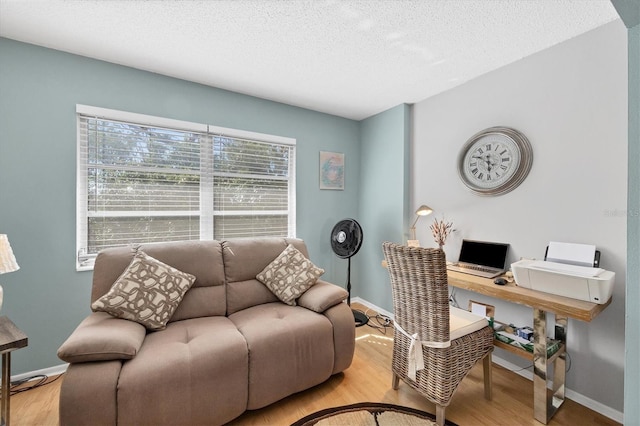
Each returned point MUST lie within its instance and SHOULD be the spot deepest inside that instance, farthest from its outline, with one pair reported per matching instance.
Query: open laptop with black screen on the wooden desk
(481, 258)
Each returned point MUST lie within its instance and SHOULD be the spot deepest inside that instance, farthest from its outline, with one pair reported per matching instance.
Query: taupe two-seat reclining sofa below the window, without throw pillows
(230, 346)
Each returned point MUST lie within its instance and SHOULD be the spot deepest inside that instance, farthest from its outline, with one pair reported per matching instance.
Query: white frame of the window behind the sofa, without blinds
(207, 211)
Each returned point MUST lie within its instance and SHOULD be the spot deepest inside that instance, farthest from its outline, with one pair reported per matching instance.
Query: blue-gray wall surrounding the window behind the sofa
(39, 89)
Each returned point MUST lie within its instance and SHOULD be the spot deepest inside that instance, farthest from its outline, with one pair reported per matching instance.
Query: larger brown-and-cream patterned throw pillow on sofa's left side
(147, 292)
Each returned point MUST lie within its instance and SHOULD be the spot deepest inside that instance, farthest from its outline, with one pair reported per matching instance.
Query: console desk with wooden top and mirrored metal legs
(544, 404)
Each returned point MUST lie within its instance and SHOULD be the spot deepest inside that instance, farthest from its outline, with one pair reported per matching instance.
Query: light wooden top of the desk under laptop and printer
(572, 308)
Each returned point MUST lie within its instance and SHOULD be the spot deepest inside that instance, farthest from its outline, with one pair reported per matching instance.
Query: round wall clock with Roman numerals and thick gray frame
(495, 161)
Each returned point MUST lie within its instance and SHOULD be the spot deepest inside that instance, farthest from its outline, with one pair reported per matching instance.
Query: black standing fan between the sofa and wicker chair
(346, 240)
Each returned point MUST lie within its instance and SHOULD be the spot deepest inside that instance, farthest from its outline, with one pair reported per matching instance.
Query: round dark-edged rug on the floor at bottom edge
(370, 413)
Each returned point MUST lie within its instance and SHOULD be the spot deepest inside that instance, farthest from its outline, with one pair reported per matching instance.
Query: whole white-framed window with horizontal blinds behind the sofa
(147, 179)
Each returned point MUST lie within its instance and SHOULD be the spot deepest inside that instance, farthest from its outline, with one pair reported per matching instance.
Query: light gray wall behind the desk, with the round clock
(571, 102)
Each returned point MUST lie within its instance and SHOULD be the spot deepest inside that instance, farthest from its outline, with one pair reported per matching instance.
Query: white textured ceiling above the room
(348, 58)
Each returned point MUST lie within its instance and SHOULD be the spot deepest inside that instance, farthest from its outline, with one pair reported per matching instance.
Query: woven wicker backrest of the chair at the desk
(420, 290)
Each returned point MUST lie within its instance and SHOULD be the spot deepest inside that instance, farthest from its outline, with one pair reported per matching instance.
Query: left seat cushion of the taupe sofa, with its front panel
(194, 372)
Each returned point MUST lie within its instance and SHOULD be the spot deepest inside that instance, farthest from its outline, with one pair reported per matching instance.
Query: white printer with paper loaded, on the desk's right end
(566, 275)
